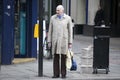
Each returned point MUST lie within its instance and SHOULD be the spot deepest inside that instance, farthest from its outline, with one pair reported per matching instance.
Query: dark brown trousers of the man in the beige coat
(56, 65)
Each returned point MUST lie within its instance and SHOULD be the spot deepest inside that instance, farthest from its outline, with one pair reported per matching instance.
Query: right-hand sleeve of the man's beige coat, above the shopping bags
(70, 30)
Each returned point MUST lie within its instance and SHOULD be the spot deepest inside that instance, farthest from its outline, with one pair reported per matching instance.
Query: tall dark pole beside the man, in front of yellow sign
(40, 61)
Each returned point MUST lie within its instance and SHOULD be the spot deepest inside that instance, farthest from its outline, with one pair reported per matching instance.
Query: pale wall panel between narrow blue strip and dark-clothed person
(92, 8)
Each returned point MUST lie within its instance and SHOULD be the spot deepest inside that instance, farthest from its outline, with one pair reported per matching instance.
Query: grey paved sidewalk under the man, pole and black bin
(29, 70)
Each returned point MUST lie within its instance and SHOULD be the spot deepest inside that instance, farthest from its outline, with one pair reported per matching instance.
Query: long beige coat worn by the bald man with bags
(60, 33)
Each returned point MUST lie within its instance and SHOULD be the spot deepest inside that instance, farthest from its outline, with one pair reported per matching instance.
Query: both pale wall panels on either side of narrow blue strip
(78, 11)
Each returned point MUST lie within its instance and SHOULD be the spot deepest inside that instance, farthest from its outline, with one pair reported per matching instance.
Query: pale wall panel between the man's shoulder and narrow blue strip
(78, 11)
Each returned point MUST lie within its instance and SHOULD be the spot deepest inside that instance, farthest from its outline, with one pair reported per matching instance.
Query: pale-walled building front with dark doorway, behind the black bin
(83, 12)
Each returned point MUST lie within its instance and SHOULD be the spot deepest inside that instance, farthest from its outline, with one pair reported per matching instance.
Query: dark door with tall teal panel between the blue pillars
(20, 28)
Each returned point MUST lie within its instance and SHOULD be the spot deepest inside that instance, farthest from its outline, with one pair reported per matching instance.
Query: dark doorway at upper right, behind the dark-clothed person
(112, 17)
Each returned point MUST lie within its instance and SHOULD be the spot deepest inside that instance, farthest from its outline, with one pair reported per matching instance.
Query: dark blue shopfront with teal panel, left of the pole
(17, 28)
